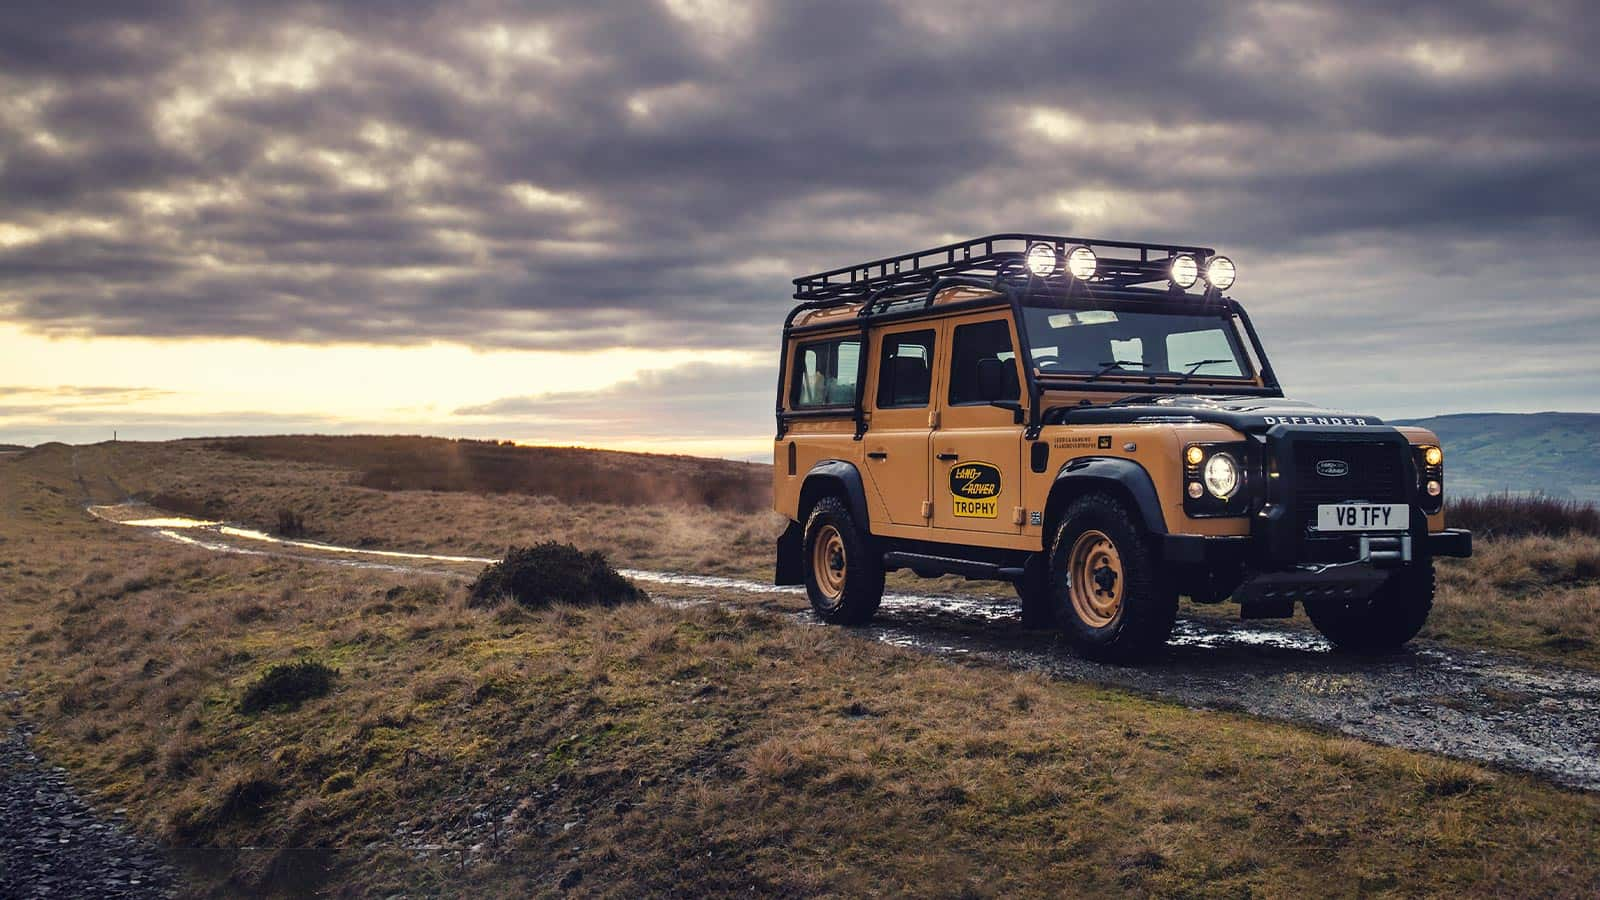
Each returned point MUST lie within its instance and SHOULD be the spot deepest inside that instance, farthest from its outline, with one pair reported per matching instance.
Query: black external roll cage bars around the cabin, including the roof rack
(889, 287)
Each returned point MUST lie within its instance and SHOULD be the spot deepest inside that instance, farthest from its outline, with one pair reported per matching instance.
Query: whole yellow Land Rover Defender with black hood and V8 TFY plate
(1095, 422)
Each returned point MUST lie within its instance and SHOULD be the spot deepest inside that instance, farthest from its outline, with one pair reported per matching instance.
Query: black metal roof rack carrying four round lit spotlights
(998, 257)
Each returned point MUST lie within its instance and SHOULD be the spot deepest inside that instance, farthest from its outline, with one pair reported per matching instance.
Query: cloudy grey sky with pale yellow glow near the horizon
(577, 223)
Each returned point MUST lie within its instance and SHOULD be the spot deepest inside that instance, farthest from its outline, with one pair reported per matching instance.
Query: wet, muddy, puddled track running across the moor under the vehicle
(1468, 704)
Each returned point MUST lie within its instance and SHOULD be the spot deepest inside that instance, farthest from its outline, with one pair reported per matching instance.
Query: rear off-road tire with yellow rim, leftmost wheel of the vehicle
(850, 595)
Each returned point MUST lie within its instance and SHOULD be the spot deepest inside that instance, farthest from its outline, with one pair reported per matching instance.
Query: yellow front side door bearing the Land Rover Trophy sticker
(977, 448)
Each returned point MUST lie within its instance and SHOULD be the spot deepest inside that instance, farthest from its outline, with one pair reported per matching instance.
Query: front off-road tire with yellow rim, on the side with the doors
(1148, 605)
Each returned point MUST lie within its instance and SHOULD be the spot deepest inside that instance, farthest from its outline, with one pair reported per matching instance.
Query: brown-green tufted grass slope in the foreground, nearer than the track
(650, 749)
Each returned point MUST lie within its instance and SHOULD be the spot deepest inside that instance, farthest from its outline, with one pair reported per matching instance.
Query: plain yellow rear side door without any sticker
(900, 406)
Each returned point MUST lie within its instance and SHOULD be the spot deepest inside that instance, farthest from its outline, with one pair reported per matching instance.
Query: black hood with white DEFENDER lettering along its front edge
(1250, 416)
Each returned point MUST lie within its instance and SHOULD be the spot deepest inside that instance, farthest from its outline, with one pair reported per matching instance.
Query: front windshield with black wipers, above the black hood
(1111, 344)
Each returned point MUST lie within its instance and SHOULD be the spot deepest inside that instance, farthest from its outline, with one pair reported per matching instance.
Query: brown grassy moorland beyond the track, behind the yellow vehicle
(1534, 587)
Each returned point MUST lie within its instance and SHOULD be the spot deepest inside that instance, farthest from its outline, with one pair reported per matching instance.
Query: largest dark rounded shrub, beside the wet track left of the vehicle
(553, 573)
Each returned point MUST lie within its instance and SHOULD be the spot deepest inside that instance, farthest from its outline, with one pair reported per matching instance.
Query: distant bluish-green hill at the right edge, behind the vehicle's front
(1556, 454)
